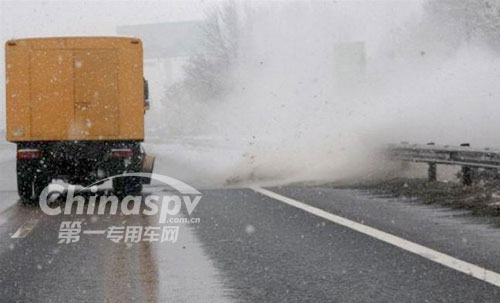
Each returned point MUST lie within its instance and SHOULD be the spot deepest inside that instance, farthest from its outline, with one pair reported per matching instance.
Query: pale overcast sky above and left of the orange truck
(21, 19)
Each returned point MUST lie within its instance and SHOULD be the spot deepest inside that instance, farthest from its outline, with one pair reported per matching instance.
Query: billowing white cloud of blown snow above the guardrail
(311, 89)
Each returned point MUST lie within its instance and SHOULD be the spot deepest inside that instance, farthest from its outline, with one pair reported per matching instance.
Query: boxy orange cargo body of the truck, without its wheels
(86, 88)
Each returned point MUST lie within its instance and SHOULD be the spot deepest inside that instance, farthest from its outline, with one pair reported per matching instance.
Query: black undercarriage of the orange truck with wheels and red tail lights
(77, 162)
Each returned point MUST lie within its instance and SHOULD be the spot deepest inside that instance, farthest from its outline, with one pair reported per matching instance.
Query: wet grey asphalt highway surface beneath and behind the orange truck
(274, 244)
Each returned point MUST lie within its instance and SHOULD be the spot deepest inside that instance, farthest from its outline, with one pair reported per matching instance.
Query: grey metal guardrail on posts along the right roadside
(471, 159)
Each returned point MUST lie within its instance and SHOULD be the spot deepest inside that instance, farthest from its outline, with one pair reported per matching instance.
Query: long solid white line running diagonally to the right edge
(425, 252)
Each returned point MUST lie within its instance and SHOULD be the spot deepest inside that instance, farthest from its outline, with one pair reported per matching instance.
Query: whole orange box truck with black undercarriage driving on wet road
(75, 109)
